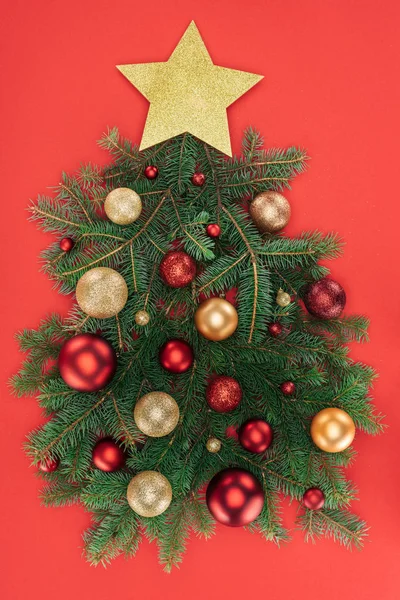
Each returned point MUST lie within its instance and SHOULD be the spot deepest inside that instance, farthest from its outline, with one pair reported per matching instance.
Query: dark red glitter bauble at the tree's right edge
(325, 298)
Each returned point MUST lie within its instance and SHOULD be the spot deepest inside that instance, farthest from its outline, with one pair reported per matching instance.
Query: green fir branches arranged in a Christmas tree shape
(309, 351)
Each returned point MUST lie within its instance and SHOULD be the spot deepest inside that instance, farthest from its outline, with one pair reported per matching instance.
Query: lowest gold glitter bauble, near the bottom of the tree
(149, 493)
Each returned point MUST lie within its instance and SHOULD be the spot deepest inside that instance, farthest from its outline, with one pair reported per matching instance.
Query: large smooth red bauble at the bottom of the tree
(235, 497)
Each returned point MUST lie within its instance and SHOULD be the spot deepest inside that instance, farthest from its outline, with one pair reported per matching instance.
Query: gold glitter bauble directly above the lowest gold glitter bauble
(156, 414)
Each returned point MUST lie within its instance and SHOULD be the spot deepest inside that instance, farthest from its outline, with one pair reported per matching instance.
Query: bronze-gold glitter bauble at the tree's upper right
(270, 212)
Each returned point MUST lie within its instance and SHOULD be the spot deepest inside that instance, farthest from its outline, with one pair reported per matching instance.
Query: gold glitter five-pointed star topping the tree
(188, 93)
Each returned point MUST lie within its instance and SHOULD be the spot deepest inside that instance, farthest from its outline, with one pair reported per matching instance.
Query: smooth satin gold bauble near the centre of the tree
(216, 319)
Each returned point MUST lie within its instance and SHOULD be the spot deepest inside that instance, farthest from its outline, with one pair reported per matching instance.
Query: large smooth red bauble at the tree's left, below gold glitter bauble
(87, 362)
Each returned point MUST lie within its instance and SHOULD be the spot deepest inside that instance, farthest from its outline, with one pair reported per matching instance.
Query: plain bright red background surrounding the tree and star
(331, 85)
